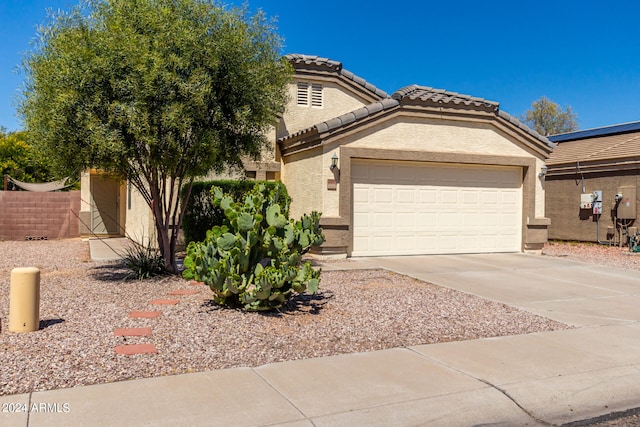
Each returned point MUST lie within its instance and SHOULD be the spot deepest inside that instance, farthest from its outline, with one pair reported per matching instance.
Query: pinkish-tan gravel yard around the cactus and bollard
(82, 302)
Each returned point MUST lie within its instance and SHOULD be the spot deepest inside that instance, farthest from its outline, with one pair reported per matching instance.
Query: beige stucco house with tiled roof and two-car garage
(424, 171)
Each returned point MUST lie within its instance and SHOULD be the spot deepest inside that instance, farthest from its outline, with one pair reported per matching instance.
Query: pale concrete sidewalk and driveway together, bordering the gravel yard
(547, 378)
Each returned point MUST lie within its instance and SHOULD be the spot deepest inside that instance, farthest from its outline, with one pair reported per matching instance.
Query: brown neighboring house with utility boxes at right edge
(604, 160)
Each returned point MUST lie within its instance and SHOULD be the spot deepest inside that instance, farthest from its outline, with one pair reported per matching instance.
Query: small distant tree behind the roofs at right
(548, 118)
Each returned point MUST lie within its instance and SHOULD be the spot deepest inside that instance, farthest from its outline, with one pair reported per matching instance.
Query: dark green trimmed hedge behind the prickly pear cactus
(202, 215)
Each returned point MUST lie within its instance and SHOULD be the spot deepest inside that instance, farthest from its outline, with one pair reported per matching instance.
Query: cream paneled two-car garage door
(411, 208)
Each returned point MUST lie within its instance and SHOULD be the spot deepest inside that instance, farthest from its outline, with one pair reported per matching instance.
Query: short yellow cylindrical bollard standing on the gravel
(24, 300)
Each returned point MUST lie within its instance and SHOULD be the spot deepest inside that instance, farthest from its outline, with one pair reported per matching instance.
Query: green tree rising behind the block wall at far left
(20, 160)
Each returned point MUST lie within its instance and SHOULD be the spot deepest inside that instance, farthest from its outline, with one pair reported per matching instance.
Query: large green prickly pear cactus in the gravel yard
(253, 260)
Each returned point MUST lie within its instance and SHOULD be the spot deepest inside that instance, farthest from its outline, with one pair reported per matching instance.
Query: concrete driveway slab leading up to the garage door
(571, 292)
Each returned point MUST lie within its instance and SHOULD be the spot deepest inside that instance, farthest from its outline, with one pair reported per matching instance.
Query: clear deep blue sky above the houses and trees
(582, 54)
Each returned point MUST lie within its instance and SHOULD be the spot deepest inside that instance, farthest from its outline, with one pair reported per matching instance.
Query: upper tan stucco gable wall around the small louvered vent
(335, 103)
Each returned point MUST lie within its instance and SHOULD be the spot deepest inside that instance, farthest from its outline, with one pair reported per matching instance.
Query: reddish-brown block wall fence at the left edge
(27, 215)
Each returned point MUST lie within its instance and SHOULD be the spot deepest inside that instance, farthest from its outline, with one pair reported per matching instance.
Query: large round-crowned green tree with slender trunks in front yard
(156, 91)
